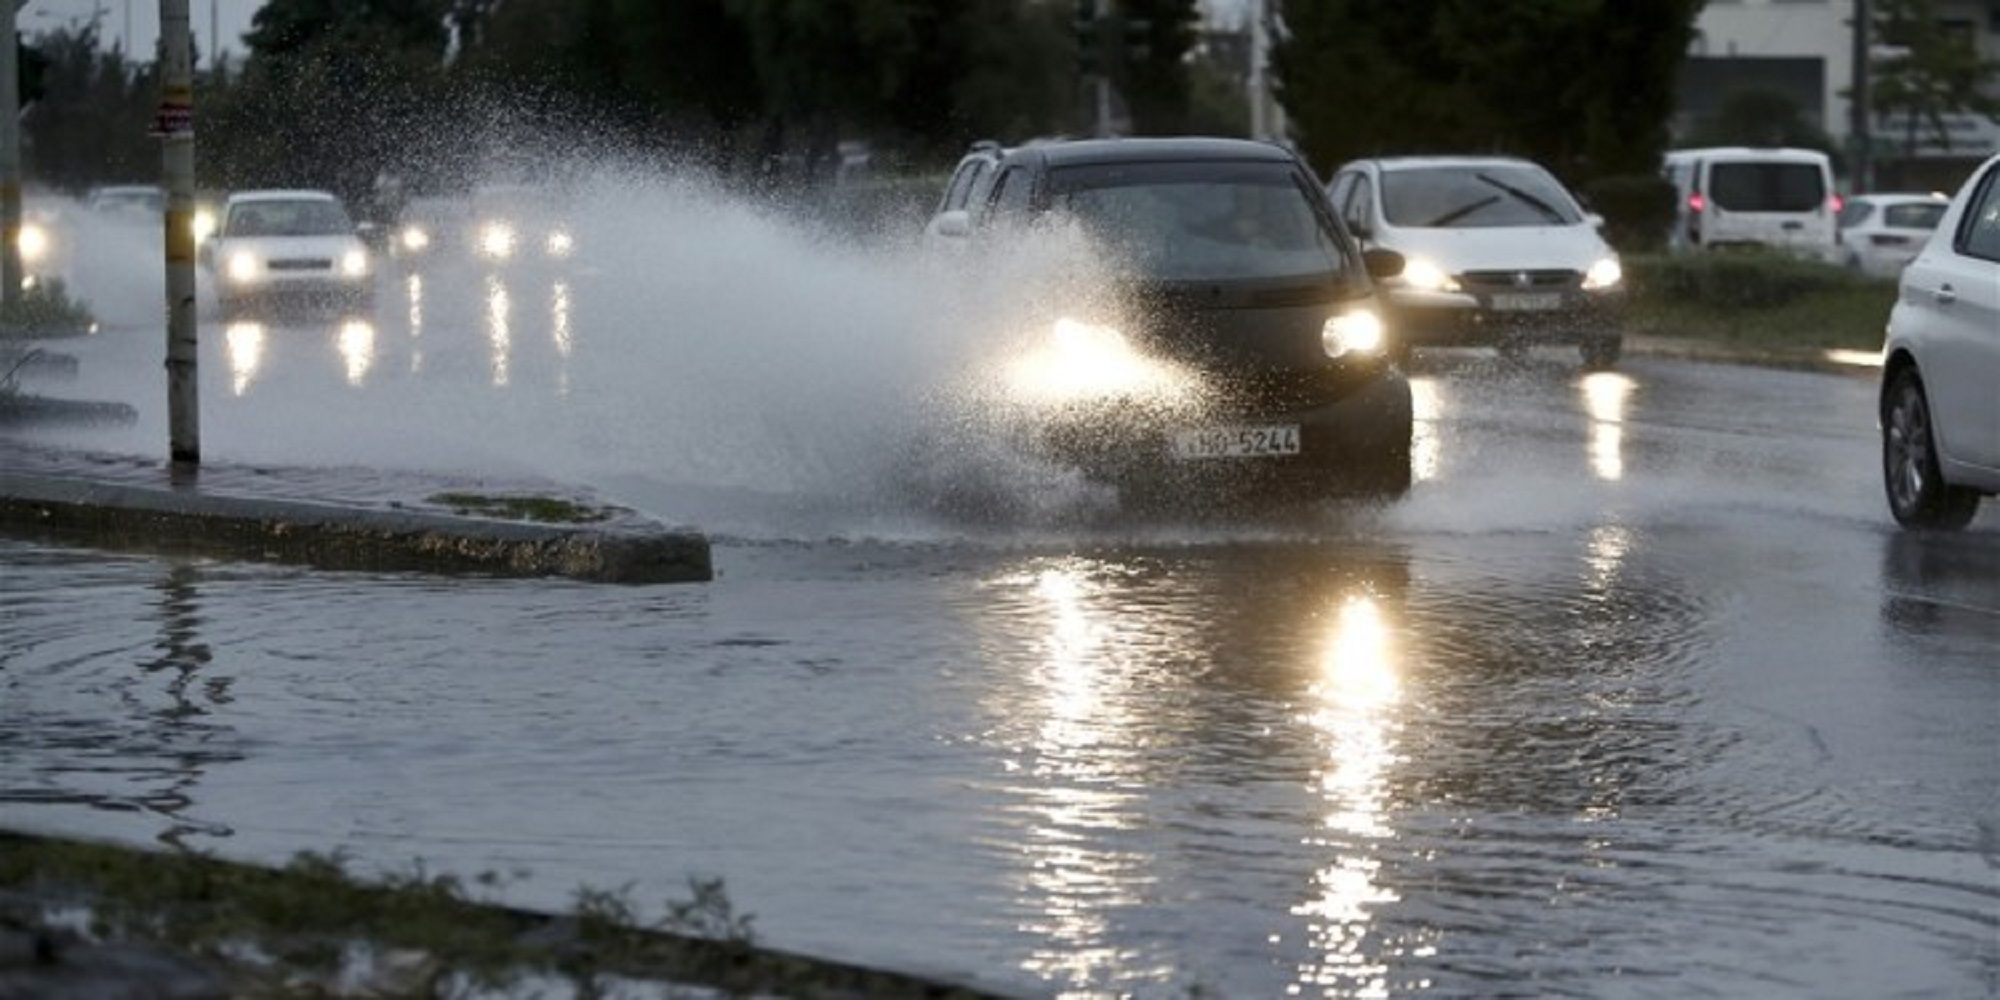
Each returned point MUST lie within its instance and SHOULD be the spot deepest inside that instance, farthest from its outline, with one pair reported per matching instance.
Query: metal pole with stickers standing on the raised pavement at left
(177, 129)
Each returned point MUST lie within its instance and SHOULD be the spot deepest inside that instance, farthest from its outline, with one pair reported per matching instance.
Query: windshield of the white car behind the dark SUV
(1477, 197)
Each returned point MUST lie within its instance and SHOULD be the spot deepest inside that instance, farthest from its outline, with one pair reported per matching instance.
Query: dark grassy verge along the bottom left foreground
(303, 929)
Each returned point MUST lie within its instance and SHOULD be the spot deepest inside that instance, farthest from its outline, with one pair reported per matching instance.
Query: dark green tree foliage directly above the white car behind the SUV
(1583, 87)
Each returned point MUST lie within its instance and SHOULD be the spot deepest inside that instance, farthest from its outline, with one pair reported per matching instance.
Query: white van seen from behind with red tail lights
(1735, 197)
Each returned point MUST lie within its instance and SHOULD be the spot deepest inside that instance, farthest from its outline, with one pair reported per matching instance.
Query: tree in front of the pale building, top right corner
(1933, 73)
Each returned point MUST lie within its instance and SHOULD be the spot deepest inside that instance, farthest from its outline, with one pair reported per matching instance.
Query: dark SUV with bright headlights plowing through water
(1239, 341)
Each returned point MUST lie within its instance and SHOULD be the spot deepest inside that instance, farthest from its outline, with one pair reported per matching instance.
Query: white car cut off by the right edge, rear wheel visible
(1941, 367)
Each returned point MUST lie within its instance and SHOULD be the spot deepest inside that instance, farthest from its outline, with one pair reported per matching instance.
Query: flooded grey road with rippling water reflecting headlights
(1637, 695)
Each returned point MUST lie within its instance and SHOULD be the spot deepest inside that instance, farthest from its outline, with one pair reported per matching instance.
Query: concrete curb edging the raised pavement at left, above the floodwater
(345, 537)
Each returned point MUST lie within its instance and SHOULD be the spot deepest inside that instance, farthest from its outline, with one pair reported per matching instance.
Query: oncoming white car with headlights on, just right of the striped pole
(287, 249)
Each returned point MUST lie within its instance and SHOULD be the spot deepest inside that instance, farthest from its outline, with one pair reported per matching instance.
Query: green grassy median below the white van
(1761, 301)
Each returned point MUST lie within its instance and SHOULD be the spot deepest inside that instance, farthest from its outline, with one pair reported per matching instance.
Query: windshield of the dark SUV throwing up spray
(1203, 221)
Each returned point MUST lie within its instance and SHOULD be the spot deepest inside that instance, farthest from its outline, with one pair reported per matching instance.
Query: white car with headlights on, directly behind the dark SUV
(1497, 253)
